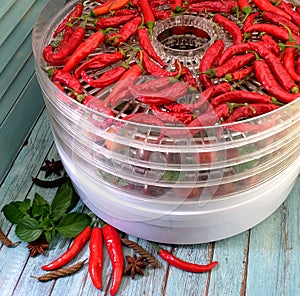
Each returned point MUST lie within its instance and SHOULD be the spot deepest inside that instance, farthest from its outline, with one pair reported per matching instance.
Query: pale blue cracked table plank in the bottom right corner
(274, 251)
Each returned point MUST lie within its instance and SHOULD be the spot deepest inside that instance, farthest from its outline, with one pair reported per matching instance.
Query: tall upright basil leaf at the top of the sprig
(62, 201)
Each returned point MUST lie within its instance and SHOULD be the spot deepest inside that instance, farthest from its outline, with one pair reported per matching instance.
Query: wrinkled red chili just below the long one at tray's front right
(250, 110)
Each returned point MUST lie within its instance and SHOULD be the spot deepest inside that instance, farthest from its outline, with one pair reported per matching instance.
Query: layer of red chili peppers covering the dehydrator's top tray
(265, 48)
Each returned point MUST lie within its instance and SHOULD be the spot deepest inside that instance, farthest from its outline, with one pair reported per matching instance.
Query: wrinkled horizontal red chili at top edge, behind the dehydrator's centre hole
(214, 6)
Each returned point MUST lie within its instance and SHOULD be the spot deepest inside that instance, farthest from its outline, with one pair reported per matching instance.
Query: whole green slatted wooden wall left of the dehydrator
(20, 96)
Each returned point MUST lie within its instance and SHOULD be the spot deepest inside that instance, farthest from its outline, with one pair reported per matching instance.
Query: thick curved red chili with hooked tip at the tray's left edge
(70, 46)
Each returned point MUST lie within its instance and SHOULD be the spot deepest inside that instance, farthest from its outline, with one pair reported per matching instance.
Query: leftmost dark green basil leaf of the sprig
(16, 211)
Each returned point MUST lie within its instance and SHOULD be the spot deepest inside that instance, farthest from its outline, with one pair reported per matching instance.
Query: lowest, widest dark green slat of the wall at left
(18, 123)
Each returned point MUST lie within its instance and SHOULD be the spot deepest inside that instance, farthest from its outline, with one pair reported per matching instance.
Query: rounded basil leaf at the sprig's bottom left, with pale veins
(28, 230)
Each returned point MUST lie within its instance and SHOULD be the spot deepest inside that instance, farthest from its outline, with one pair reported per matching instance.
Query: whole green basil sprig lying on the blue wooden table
(38, 218)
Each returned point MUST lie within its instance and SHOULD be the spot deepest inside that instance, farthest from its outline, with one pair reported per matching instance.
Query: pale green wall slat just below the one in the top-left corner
(13, 16)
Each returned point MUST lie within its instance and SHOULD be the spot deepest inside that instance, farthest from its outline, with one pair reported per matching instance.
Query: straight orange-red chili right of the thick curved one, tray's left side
(83, 50)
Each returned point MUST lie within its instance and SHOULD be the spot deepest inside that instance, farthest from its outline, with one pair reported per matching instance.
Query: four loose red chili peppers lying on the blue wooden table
(96, 235)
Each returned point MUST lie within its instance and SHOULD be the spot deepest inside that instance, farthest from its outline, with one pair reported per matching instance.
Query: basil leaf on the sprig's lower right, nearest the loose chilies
(72, 224)
